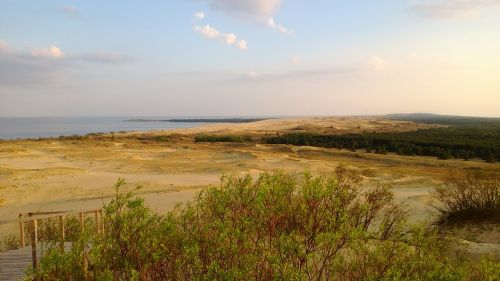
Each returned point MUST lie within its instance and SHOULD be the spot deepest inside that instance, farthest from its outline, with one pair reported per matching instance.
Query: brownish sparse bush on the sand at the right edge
(474, 195)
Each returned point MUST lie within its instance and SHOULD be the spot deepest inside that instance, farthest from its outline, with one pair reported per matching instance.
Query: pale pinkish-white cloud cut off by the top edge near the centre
(259, 8)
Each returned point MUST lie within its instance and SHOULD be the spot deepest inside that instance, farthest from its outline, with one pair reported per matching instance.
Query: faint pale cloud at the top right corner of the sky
(451, 9)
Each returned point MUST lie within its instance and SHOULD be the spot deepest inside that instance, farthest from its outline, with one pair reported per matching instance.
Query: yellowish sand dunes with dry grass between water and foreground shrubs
(64, 174)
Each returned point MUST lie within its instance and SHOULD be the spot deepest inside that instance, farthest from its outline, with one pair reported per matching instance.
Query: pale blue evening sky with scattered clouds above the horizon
(249, 57)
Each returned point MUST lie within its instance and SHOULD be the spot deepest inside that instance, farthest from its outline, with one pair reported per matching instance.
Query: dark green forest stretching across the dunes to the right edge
(460, 142)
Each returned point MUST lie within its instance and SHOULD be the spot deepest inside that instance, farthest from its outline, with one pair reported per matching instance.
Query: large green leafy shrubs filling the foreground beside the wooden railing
(274, 227)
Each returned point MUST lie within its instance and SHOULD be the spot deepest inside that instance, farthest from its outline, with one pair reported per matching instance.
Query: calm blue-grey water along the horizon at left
(13, 128)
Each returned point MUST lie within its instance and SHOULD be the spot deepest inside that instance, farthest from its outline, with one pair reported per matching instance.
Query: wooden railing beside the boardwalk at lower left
(32, 218)
